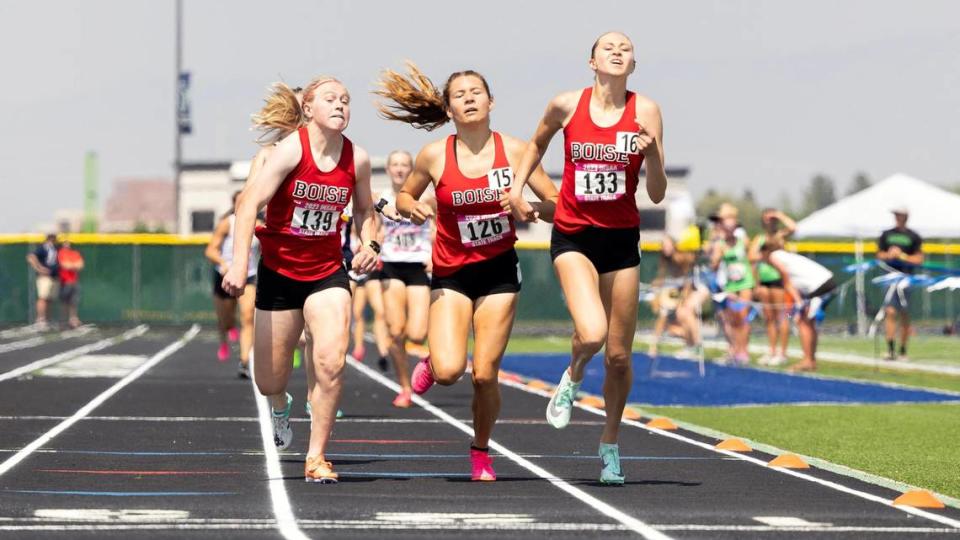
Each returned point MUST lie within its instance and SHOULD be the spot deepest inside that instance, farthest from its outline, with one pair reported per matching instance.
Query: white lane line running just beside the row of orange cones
(833, 485)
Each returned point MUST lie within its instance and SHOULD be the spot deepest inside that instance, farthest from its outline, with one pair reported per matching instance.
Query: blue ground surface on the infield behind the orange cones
(677, 382)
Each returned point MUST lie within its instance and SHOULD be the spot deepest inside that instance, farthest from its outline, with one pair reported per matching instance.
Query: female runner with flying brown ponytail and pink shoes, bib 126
(476, 275)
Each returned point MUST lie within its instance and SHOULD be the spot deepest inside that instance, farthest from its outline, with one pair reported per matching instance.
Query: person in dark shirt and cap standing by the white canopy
(901, 249)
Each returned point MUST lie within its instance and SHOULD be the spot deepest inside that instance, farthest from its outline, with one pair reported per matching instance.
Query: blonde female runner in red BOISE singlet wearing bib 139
(305, 185)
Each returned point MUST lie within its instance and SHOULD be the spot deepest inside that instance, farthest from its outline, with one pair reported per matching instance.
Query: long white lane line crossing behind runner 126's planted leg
(630, 522)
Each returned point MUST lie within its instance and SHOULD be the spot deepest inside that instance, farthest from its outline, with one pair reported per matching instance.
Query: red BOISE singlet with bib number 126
(471, 225)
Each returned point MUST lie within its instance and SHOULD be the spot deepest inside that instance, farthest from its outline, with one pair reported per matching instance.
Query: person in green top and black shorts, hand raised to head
(769, 288)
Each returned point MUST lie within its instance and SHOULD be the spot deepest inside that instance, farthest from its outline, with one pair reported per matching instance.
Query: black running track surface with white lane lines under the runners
(178, 453)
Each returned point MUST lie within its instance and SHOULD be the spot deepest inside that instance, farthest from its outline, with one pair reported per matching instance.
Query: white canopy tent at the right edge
(934, 213)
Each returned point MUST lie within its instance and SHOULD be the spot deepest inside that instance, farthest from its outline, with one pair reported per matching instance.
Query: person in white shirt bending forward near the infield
(811, 286)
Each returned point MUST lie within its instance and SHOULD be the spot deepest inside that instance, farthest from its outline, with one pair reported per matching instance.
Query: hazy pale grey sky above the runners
(754, 94)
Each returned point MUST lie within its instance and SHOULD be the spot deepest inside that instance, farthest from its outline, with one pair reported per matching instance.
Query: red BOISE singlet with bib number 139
(301, 237)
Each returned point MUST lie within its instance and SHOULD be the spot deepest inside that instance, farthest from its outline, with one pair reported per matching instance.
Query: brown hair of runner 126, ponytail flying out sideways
(416, 100)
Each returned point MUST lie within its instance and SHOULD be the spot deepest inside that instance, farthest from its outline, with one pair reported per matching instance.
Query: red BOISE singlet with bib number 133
(601, 171)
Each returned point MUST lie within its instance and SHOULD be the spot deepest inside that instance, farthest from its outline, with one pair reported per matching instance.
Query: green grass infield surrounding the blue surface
(914, 444)
